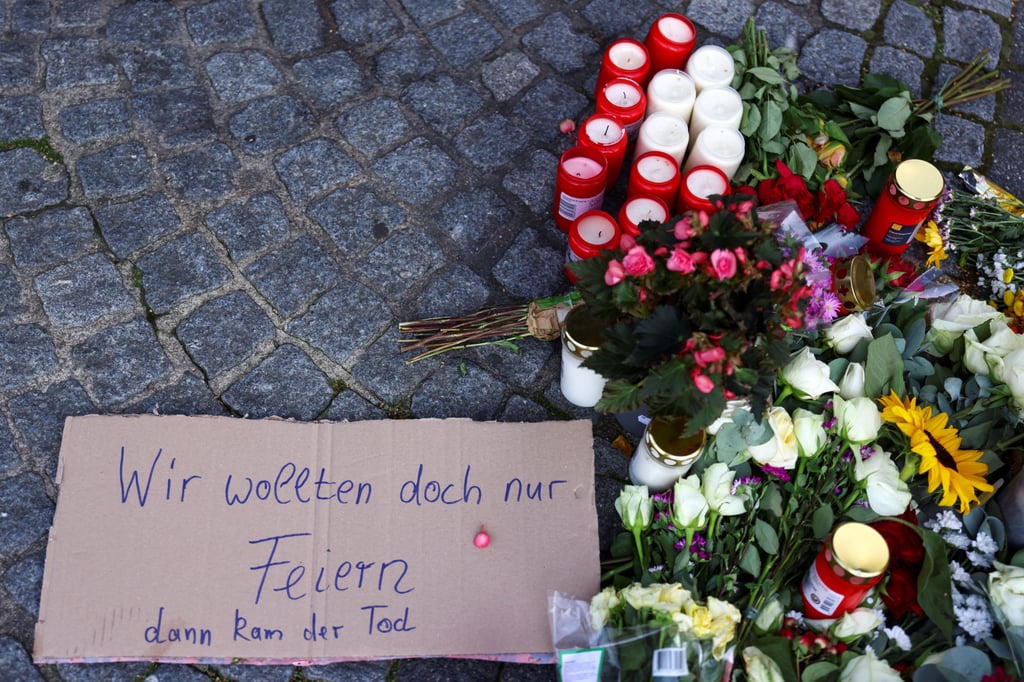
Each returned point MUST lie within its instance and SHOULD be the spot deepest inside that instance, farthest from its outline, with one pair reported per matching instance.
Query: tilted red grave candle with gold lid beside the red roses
(907, 201)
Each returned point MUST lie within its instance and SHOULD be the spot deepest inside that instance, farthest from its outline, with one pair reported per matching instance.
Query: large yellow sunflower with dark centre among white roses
(938, 445)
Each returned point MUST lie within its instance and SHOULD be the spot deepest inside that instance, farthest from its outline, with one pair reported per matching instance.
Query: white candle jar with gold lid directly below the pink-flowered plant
(664, 454)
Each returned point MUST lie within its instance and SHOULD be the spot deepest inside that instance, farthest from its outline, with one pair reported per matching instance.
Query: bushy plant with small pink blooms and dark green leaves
(698, 311)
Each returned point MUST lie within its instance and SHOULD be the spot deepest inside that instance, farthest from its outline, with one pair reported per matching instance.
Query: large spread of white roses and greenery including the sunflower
(900, 419)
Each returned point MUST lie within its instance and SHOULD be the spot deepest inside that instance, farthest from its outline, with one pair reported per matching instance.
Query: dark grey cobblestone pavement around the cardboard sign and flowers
(245, 197)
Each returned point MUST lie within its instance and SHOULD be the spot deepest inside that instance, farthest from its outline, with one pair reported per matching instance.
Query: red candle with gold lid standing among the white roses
(851, 562)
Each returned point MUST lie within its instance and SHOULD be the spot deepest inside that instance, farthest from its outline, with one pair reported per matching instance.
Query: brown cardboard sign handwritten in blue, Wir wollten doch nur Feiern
(215, 539)
